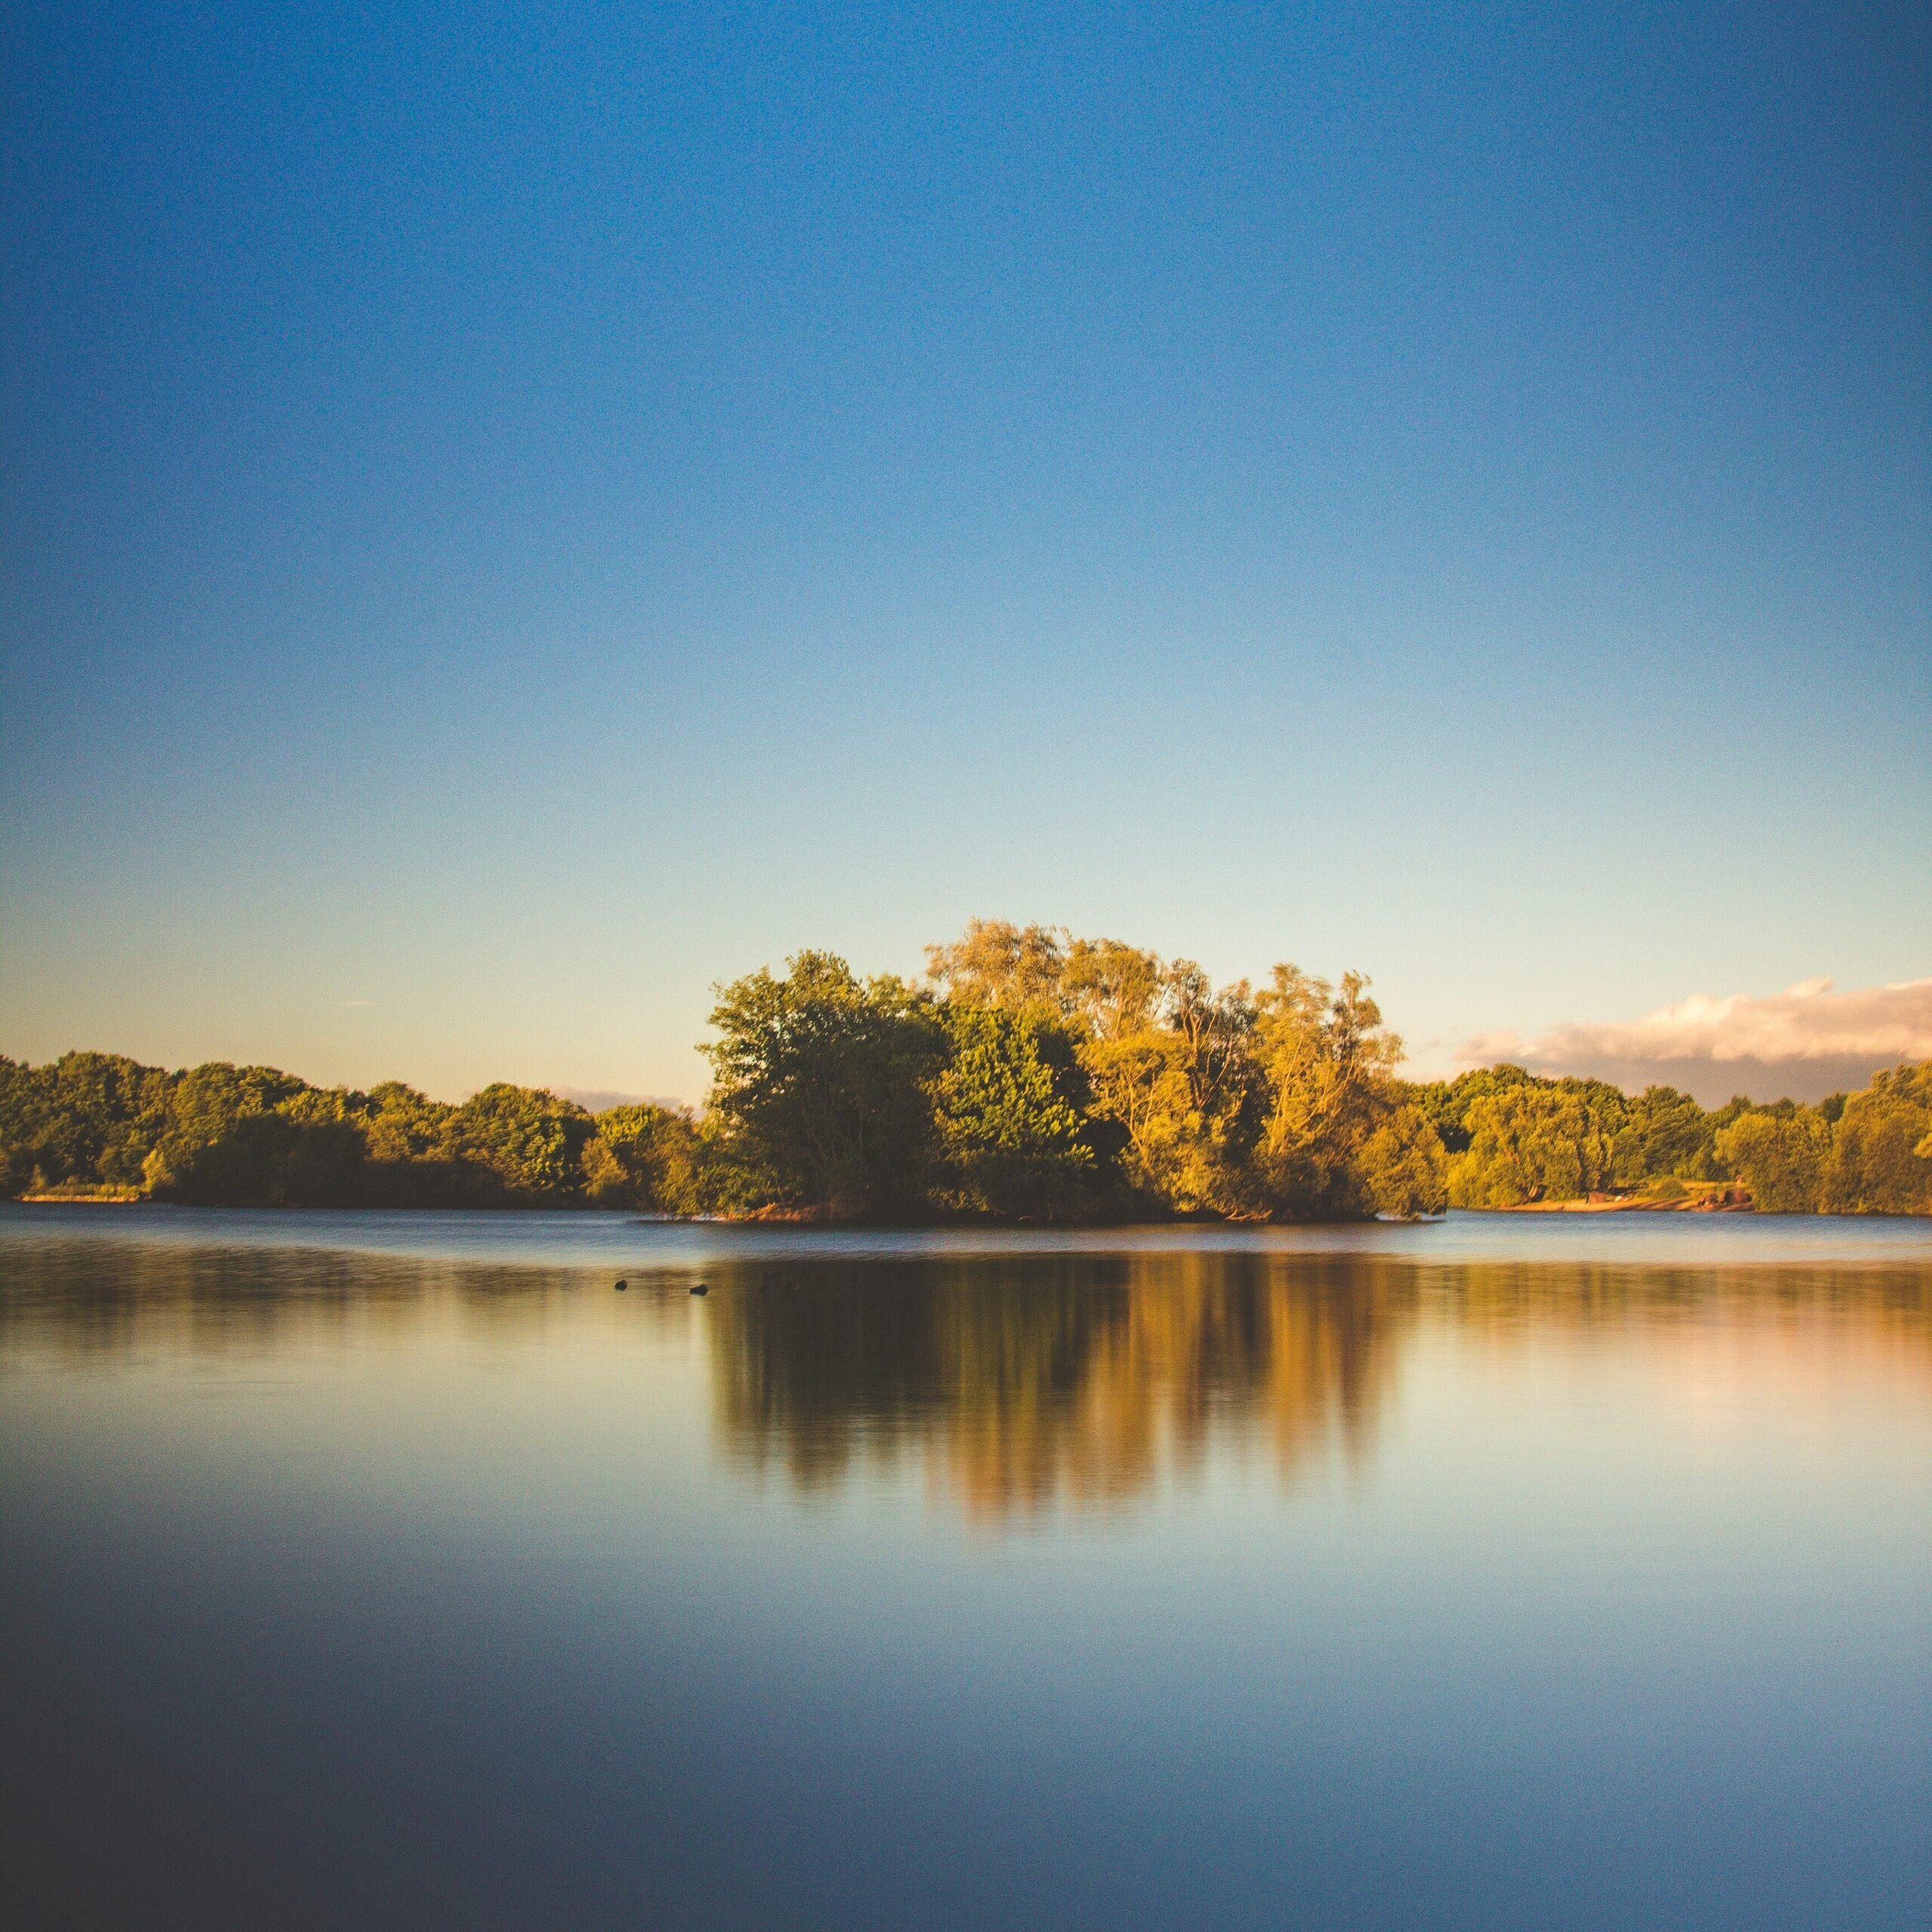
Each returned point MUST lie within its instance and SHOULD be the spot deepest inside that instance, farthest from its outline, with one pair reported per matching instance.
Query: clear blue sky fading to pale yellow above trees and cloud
(515, 513)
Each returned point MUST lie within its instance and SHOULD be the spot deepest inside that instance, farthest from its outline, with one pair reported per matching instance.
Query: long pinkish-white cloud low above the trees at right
(1804, 1042)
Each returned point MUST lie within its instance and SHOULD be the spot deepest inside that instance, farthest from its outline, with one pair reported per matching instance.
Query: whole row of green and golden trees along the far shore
(1029, 1077)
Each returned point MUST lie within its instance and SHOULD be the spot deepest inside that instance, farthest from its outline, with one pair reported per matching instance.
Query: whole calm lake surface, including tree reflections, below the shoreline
(391, 1570)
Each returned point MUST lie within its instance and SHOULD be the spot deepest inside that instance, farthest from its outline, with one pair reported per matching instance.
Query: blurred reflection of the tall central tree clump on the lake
(1056, 1382)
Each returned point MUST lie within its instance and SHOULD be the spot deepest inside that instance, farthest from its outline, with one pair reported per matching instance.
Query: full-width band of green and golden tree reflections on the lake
(1019, 1386)
